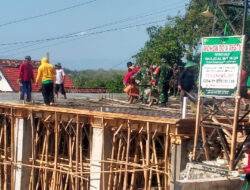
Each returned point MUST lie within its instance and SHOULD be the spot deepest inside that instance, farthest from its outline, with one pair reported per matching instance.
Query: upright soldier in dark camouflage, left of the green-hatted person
(163, 83)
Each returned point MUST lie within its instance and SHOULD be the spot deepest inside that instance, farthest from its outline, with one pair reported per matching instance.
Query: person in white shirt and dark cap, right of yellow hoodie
(60, 78)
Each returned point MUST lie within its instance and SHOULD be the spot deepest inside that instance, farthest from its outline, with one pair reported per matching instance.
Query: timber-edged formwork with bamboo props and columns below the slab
(66, 148)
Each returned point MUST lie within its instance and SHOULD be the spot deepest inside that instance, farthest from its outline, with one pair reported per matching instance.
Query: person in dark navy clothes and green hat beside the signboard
(186, 81)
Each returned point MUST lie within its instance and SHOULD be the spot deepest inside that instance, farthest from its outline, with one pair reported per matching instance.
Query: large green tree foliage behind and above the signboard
(180, 38)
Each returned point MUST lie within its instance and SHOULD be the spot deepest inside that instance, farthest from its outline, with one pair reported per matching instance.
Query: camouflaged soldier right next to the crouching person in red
(144, 76)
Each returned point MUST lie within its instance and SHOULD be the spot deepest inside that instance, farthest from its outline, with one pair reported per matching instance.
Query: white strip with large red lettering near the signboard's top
(222, 48)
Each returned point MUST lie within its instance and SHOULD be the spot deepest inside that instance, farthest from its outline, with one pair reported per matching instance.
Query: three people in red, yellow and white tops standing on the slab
(45, 75)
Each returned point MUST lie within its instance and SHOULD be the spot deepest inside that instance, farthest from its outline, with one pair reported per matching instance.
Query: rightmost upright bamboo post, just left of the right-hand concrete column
(166, 157)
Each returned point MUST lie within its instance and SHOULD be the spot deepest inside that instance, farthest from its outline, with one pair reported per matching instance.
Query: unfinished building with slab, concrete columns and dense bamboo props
(106, 143)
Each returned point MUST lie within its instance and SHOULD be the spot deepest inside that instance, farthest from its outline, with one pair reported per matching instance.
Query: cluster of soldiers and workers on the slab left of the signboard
(167, 79)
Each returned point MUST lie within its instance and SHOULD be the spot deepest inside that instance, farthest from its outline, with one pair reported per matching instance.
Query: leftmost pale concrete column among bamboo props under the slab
(23, 151)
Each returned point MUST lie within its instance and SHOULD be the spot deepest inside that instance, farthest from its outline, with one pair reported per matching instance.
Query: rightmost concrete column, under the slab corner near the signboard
(179, 159)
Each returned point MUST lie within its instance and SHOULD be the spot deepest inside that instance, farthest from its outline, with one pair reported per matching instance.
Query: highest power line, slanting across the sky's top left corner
(46, 14)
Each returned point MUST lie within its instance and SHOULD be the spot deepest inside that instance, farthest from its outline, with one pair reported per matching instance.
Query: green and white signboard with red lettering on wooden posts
(220, 65)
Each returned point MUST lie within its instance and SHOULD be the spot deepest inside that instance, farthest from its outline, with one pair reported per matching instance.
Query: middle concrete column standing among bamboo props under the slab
(99, 143)
